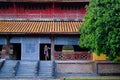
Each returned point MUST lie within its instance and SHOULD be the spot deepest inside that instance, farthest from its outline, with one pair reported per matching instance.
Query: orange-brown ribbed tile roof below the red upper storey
(12, 27)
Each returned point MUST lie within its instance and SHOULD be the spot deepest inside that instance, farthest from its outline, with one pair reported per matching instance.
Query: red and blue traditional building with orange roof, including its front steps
(26, 26)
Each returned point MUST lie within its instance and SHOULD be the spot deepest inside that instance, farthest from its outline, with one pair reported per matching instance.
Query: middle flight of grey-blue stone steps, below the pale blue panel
(27, 69)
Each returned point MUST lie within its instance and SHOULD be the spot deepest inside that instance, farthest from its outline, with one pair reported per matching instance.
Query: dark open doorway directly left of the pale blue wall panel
(17, 51)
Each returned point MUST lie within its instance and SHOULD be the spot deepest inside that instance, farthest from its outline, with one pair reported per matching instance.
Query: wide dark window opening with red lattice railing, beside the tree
(71, 52)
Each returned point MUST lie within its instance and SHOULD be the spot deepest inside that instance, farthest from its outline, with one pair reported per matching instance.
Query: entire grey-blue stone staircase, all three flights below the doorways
(43, 69)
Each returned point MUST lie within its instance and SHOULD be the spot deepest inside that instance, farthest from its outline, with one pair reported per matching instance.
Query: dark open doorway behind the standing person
(42, 55)
